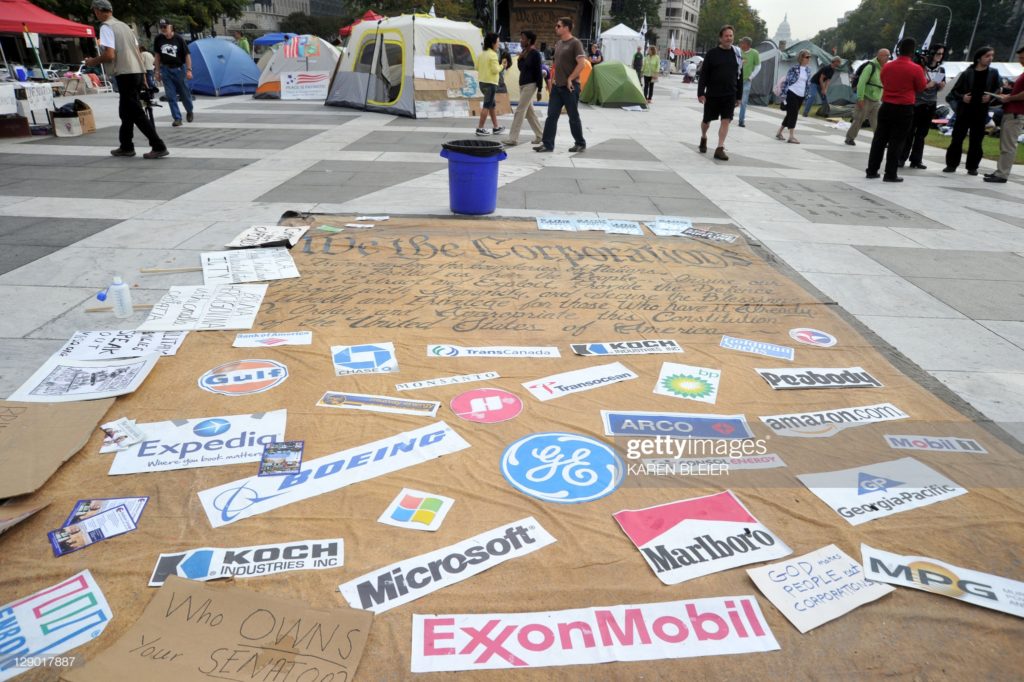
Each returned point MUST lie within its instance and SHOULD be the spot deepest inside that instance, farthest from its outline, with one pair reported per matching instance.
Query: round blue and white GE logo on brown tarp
(567, 468)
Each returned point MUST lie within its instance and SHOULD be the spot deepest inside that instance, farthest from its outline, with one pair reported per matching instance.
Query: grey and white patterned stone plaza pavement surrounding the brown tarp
(933, 266)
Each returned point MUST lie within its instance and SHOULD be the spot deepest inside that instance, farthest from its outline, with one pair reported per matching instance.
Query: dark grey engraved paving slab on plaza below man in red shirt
(831, 202)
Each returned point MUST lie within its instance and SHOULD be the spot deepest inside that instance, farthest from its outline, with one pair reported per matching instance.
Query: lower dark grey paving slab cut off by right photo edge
(949, 265)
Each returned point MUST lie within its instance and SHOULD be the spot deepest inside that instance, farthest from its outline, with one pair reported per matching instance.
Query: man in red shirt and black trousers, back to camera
(903, 79)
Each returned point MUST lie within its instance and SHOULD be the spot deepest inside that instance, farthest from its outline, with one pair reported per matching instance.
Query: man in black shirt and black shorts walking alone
(719, 89)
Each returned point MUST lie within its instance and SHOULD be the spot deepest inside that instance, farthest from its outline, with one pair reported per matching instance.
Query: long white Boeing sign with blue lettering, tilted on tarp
(255, 495)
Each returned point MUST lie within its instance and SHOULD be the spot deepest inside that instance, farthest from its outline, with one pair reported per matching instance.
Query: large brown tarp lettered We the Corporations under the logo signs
(417, 282)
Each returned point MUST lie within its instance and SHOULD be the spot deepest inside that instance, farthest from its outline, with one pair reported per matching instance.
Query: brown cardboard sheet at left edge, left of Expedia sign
(28, 428)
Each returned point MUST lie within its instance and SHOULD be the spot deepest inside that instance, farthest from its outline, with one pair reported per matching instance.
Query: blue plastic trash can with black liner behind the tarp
(474, 176)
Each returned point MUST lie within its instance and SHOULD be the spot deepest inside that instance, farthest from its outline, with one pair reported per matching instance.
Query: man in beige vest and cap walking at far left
(119, 48)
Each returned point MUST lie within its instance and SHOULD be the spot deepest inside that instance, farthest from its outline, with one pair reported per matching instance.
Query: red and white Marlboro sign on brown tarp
(689, 539)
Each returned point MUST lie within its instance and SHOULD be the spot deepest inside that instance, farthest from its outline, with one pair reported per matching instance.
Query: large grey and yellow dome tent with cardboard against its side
(376, 72)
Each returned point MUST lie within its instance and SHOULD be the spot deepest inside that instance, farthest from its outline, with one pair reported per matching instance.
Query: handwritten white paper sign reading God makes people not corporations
(817, 588)
